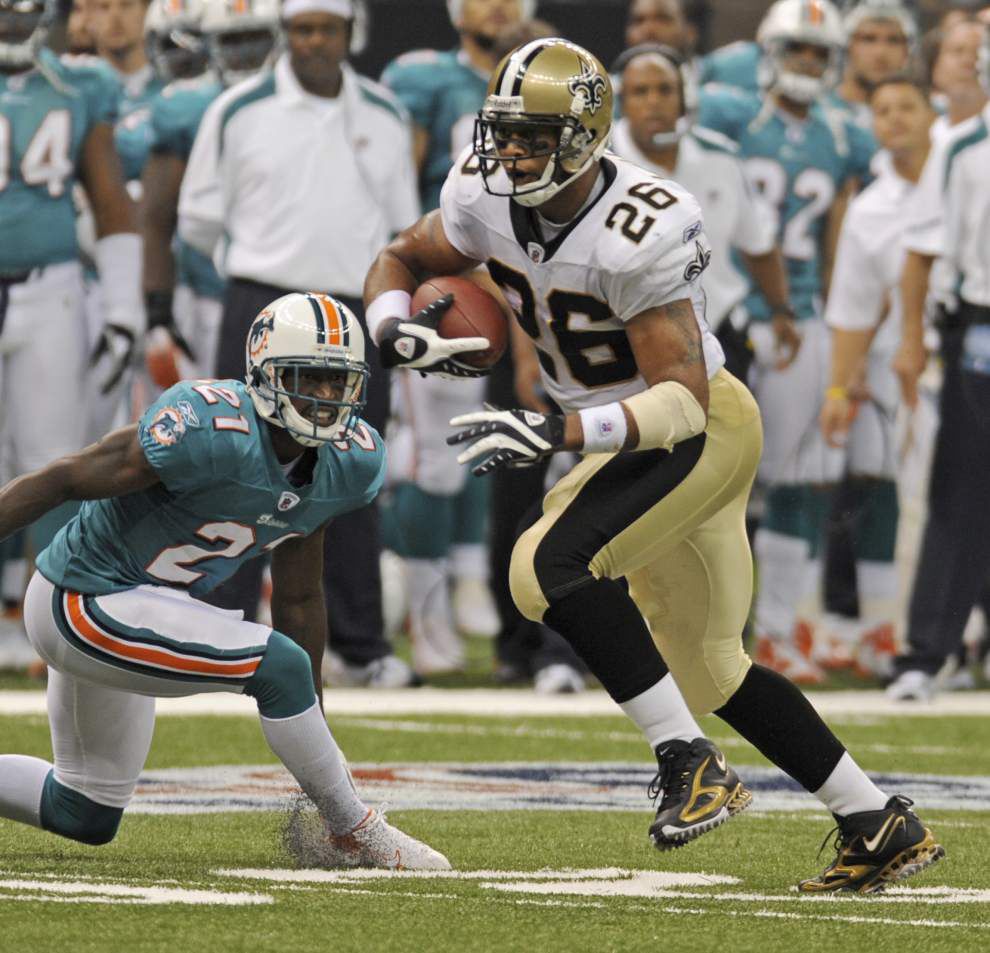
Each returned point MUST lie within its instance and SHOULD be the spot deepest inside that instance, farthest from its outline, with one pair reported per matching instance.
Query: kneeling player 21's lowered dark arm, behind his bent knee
(298, 606)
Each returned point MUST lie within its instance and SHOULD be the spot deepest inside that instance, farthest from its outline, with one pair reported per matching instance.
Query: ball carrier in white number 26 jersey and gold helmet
(602, 263)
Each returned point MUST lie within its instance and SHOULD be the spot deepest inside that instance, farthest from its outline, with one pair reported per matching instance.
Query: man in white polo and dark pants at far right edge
(949, 218)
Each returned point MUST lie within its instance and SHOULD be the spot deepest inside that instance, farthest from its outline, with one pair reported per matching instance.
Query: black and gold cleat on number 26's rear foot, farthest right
(876, 848)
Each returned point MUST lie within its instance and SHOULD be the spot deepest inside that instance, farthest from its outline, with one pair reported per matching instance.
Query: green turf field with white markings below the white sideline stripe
(542, 878)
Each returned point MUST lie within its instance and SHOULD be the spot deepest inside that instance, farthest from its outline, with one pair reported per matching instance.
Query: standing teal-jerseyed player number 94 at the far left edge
(58, 118)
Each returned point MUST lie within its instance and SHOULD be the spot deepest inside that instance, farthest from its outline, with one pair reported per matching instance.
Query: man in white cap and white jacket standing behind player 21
(296, 179)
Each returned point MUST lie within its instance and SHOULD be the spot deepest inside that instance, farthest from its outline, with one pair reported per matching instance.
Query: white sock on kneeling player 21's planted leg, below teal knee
(306, 747)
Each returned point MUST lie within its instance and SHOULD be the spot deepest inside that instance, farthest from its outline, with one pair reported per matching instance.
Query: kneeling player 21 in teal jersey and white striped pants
(214, 473)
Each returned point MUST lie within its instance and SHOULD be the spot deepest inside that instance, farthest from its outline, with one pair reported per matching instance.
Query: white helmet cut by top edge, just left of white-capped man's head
(243, 36)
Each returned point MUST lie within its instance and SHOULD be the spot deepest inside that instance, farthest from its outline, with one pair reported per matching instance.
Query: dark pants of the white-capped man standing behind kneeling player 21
(351, 574)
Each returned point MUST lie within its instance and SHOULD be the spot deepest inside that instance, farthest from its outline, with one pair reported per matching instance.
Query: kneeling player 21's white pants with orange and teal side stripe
(110, 656)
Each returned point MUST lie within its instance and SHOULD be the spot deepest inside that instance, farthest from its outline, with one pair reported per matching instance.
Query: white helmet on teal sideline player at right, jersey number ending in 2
(800, 21)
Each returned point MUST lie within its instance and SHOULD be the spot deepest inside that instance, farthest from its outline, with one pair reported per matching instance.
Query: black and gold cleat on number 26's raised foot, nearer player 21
(698, 792)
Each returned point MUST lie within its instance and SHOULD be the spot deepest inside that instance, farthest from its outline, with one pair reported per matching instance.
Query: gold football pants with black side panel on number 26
(671, 523)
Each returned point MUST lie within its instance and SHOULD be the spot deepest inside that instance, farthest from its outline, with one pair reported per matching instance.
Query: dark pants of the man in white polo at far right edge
(955, 552)
